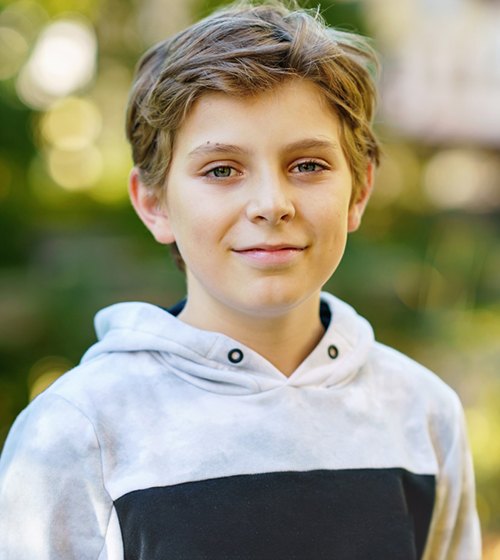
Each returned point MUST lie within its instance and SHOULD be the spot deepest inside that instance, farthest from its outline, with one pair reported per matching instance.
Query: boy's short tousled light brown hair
(245, 49)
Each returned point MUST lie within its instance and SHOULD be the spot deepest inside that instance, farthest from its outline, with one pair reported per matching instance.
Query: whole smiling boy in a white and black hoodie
(258, 419)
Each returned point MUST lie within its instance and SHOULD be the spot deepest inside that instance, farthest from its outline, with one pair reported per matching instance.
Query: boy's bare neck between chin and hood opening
(285, 340)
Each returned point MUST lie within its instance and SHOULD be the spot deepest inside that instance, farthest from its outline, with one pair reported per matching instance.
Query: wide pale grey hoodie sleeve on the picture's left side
(52, 497)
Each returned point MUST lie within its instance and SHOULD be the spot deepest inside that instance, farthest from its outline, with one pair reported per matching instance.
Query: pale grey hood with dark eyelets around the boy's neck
(218, 363)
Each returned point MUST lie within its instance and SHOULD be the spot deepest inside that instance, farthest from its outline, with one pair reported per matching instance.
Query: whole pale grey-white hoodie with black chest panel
(169, 442)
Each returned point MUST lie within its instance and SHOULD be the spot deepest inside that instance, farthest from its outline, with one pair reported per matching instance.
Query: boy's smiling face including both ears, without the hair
(257, 199)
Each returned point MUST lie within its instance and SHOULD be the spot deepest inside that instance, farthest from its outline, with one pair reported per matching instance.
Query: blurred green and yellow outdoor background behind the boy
(424, 268)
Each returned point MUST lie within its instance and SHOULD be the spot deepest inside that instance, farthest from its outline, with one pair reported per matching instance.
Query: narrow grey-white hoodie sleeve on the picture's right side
(455, 532)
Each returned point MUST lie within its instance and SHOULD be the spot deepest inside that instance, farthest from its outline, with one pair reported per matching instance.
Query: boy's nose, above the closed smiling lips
(270, 201)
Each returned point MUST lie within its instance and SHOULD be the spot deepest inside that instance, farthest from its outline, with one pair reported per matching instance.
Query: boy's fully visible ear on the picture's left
(150, 209)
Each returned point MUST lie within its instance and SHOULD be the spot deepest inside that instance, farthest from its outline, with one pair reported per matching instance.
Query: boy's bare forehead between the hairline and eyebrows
(293, 109)
